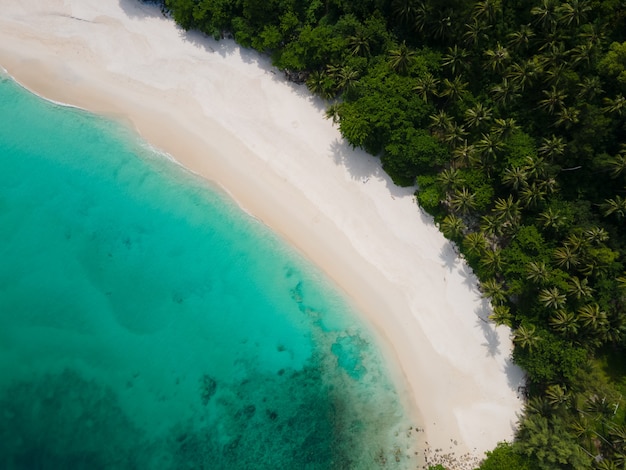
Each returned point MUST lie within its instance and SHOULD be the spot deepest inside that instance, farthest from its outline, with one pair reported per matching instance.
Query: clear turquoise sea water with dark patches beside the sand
(147, 322)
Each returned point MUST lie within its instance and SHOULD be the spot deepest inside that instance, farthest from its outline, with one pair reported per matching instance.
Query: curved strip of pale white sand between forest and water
(226, 114)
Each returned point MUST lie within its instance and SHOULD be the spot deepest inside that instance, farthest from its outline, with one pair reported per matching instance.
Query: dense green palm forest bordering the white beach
(510, 116)
